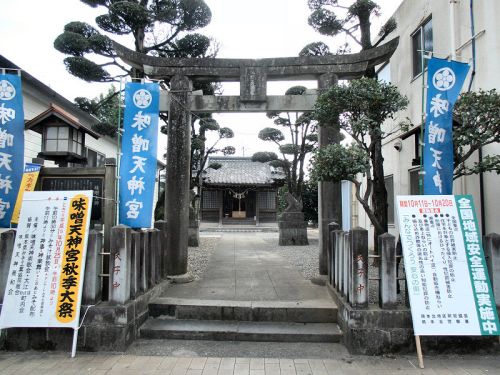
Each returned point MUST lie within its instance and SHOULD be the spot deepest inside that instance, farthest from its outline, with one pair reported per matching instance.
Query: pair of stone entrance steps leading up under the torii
(268, 321)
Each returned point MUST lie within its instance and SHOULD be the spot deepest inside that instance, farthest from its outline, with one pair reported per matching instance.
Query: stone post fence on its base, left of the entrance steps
(137, 273)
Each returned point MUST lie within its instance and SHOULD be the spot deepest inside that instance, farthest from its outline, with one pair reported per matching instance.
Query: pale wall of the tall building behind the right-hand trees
(409, 16)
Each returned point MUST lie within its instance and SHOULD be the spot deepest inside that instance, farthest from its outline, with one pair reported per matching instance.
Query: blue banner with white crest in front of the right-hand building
(444, 81)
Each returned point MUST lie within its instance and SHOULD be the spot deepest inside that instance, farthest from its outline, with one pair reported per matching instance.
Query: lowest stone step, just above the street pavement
(165, 328)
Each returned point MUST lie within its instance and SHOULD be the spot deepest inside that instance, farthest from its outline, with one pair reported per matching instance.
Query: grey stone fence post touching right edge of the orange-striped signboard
(92, 286)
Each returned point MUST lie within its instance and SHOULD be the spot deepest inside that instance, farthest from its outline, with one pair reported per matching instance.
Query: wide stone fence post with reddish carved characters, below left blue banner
(119, 268)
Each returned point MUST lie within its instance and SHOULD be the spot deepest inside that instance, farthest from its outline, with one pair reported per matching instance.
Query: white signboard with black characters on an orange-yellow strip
(45, 280)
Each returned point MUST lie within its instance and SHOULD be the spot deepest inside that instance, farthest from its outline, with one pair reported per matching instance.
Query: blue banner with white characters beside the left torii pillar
(138, 160)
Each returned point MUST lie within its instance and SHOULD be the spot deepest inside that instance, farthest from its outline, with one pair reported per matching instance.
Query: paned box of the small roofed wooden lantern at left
(63, 139)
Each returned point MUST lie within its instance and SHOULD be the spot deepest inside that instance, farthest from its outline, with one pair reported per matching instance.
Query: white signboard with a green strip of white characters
(447, 277)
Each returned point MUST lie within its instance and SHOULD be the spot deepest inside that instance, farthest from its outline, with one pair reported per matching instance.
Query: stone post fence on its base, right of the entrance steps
(372, 315)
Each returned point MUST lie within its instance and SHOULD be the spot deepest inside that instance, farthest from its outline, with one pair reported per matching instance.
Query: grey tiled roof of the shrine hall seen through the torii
(242, 171)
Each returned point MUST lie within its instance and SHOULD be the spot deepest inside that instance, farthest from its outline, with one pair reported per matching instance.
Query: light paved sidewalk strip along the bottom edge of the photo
(109, 364)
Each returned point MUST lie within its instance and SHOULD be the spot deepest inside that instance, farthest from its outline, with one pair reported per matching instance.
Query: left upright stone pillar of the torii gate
(177, 195)
